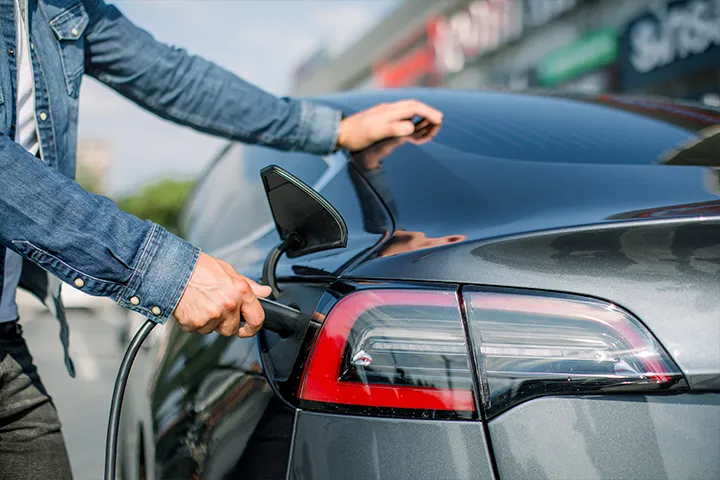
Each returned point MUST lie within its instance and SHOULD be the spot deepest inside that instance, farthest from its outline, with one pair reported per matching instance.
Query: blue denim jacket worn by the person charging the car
(83, 239)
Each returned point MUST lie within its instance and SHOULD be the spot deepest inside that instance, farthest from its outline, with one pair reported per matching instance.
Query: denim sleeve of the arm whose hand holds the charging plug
(86, 241)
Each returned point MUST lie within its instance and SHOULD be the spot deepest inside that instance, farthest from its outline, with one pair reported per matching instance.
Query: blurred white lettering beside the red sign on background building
(484, 26)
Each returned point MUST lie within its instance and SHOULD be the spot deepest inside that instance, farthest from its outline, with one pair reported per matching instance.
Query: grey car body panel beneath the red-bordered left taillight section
(353, 447)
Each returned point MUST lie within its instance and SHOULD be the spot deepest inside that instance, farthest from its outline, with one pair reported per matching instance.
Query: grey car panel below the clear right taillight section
(619, 437)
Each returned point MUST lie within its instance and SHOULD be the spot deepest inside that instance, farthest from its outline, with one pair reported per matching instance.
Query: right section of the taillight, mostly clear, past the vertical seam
(531, 345)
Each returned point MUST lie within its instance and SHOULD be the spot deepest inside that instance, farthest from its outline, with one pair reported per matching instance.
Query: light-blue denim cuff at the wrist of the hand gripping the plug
(165, 265)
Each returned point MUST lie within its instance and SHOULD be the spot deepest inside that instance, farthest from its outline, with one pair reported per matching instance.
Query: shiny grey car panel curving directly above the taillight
(663, 272)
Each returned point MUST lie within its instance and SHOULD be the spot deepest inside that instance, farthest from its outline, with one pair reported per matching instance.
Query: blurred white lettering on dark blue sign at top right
(674, 33)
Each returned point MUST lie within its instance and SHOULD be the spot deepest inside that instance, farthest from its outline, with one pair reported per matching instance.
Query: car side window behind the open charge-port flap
(229, 203)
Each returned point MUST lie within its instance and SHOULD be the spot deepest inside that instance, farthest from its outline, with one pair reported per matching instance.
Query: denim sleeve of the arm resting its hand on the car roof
(197, 93)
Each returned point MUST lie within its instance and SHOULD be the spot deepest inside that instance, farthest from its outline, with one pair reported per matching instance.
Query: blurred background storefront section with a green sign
(587, 66)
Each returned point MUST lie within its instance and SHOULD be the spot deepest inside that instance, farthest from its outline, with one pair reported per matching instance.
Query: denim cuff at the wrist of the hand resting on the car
(319, 128)
